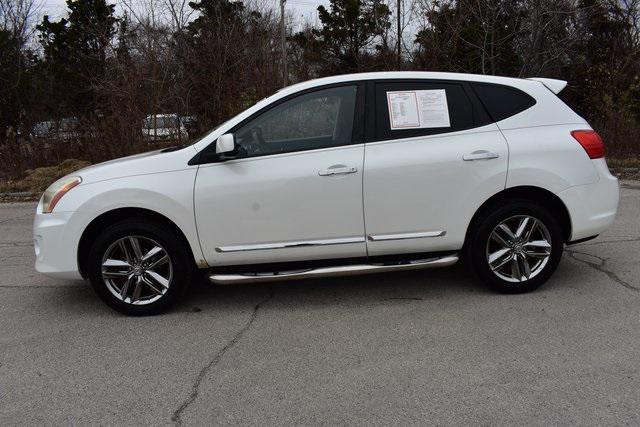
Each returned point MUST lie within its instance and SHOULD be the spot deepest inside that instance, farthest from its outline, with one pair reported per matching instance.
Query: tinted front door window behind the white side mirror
(314, 120)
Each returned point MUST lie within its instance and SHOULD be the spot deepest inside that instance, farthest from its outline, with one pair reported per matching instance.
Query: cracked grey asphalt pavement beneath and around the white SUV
(428, 347)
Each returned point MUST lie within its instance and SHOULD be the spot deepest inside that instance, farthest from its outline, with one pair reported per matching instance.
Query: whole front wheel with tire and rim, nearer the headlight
(139, 268)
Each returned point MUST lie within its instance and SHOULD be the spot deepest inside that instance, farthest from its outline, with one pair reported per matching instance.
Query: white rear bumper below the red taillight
(592, 207)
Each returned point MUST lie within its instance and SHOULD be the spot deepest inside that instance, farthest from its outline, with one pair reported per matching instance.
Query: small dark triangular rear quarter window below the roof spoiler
(502, 101)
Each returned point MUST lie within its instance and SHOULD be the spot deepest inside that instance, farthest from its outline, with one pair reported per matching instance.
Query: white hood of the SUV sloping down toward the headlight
(156, 161)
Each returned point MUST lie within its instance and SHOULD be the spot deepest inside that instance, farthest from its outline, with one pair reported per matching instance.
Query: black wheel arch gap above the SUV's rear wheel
(539, 195)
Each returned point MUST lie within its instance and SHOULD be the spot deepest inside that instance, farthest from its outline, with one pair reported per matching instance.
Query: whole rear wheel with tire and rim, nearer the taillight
(516, 247)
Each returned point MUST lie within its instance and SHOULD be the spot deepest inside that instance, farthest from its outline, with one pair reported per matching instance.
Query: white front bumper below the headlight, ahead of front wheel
(55, 242)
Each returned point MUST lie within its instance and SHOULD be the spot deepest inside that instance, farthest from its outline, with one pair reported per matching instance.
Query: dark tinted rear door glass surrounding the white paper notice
(461, 111)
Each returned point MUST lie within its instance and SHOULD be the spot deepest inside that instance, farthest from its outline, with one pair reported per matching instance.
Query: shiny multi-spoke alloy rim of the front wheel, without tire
(137, 270)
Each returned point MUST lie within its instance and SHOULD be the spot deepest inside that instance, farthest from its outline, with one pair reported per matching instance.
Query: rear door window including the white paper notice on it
(417, 108)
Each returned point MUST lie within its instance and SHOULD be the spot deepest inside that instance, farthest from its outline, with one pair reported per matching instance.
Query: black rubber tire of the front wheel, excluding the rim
(180, 269)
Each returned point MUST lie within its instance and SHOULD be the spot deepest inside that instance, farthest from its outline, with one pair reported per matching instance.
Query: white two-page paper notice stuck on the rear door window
(417, 109)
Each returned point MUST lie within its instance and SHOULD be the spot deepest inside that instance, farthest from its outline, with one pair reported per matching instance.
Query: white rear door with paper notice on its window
(424, 179)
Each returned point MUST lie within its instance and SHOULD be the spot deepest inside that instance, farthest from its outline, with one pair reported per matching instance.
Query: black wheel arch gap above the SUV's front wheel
(115, 215)
